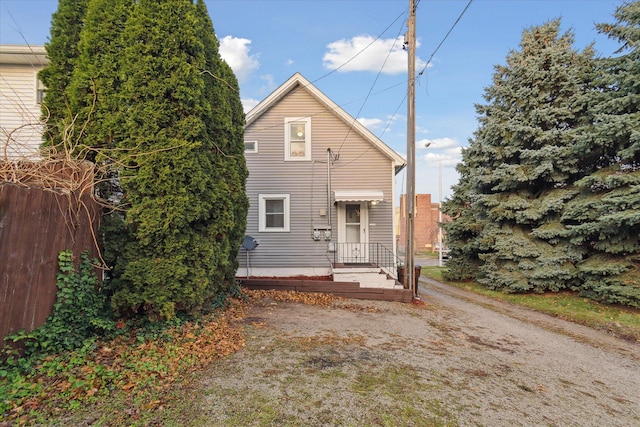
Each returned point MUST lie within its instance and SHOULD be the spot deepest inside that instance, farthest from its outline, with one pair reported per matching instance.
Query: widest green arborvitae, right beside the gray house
(177, 180)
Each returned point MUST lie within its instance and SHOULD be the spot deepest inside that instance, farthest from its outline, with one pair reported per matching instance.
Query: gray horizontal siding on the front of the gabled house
(360, 166)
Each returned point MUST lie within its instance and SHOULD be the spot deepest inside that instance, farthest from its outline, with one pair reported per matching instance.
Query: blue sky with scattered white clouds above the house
(266, 41)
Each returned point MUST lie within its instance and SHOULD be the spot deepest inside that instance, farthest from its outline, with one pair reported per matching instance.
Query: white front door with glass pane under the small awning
(353, 238)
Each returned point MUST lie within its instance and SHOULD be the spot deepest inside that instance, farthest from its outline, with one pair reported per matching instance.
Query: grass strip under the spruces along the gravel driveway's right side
(619, 320)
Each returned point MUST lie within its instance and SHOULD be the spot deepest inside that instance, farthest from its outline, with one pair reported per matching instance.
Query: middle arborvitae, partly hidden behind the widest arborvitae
(94, 95)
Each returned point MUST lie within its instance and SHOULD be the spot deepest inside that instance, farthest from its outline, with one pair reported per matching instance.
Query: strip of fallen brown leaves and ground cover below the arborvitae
(145, 371)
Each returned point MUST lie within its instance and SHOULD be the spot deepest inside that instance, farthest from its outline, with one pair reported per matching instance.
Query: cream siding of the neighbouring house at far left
(20, 112)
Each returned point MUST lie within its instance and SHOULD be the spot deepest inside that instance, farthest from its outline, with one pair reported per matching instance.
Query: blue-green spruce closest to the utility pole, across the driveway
(520, 166)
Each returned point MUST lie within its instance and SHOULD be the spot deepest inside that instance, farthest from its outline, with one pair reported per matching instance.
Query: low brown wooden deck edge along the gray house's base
(341, 289)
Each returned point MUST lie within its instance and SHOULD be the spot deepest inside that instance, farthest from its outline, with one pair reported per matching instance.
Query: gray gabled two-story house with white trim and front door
(321, 191)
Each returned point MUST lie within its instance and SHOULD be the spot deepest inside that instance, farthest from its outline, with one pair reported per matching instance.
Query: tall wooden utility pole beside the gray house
(410, 41)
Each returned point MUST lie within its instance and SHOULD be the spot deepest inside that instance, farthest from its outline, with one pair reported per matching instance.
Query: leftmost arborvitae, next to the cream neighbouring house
(62, 51)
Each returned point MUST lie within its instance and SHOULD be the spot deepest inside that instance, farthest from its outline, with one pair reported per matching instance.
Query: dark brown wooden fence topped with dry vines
(45, 208)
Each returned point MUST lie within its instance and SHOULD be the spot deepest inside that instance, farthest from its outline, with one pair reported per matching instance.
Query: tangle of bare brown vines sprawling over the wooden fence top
(64, 169)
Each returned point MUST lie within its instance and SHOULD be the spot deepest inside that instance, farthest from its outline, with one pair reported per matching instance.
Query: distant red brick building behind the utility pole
(425, 237)
